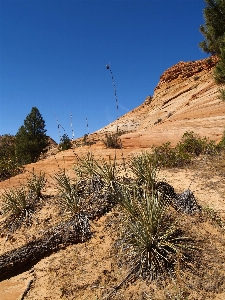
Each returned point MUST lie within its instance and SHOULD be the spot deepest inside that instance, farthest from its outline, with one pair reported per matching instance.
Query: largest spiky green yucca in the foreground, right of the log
(153, 239)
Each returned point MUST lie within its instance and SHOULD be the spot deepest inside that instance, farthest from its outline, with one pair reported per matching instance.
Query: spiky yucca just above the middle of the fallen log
(69, 196)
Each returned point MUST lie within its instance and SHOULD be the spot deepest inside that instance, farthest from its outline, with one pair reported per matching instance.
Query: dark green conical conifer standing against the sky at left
(31, 138)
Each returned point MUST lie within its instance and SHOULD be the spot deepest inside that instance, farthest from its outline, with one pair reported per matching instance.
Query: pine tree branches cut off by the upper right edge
(214, 33)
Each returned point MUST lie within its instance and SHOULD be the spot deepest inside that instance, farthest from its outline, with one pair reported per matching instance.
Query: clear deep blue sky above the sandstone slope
(53, 56)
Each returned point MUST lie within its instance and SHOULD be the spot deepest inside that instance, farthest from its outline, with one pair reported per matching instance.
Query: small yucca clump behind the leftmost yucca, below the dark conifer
(36, 184)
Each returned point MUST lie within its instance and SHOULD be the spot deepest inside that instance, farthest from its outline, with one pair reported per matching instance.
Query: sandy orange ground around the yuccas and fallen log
(90, 270)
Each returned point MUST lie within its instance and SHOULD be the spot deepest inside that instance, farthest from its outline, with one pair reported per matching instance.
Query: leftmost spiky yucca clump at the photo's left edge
(18, 206)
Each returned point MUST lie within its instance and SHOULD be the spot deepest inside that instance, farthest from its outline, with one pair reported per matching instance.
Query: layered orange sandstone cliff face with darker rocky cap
(186, 99)
